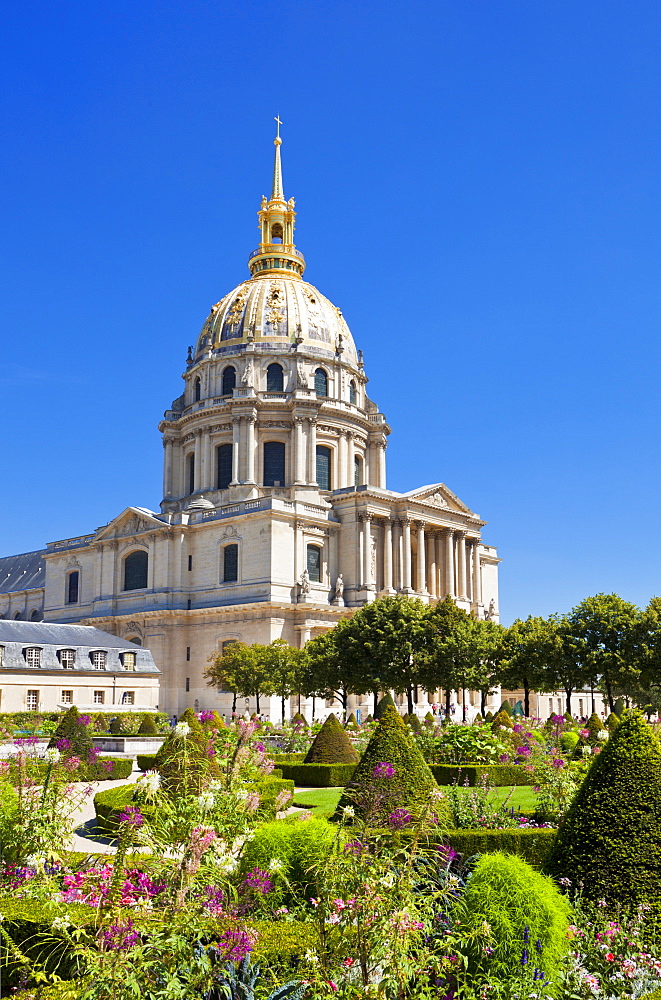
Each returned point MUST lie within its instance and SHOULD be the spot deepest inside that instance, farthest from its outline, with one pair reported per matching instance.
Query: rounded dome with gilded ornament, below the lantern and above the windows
(277, 310)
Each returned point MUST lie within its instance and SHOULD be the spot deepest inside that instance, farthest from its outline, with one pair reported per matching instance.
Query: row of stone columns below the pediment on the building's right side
(442, 561)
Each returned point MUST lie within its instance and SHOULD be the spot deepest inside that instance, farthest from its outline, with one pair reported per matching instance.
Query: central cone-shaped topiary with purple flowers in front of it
(391, 748)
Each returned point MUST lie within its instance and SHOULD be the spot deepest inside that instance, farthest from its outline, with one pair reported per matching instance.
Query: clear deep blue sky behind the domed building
(478, 190)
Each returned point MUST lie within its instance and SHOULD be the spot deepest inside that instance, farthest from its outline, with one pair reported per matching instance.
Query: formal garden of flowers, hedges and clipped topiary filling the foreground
(404, 857)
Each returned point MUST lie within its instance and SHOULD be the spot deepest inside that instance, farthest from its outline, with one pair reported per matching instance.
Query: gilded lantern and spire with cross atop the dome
(276, 253)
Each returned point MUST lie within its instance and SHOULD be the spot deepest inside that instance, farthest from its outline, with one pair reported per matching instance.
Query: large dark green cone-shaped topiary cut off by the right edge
(609, 841)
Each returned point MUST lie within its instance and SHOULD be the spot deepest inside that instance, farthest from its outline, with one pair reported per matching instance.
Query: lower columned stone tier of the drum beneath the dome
(354, 456)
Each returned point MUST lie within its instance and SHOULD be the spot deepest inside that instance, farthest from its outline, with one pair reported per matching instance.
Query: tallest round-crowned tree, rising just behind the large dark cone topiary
(605, 634)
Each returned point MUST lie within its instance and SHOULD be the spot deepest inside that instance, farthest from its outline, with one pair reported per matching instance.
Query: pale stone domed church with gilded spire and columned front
(276, 519)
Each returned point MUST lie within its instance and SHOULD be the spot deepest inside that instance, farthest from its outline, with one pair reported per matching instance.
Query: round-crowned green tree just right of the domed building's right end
(524, 658)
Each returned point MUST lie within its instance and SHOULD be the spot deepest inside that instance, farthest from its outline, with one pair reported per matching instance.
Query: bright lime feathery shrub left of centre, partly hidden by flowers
(299, 845)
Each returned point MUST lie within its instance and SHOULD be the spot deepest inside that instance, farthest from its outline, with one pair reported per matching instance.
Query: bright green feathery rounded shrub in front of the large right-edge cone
(527, 914)
